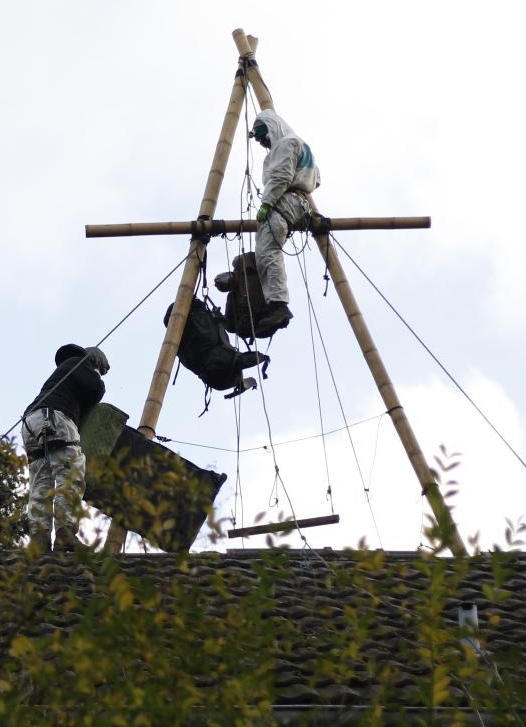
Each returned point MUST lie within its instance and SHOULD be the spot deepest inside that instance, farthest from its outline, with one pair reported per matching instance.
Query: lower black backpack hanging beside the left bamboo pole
(205, 349)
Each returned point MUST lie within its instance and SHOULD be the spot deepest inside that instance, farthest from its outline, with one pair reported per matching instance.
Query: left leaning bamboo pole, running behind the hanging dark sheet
(170, 346)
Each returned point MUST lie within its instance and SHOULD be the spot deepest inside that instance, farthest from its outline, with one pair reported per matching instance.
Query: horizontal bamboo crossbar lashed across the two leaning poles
(201, 228)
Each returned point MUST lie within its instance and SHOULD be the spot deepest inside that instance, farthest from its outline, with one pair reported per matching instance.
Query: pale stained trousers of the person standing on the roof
(56, 478)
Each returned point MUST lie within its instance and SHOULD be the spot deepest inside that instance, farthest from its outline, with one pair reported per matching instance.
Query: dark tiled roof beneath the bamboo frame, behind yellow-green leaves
(339, 630)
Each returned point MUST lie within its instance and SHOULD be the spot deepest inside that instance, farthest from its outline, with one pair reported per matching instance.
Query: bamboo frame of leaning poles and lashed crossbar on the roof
(248, 71)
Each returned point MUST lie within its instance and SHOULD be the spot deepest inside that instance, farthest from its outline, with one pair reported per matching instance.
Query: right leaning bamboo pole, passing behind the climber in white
(448, 529)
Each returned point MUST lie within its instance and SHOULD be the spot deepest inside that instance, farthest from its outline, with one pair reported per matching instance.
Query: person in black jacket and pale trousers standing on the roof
(52, 442)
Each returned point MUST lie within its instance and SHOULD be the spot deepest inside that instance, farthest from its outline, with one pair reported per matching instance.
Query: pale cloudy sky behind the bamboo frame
(111, 113)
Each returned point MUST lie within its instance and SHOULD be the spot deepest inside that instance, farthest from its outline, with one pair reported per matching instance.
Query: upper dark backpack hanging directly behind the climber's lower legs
(245, 304)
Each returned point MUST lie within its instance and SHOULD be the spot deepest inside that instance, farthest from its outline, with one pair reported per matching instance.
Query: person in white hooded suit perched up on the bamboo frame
(289, 174)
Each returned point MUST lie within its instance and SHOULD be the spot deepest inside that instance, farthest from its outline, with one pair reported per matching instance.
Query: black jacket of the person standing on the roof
(81, 390)
